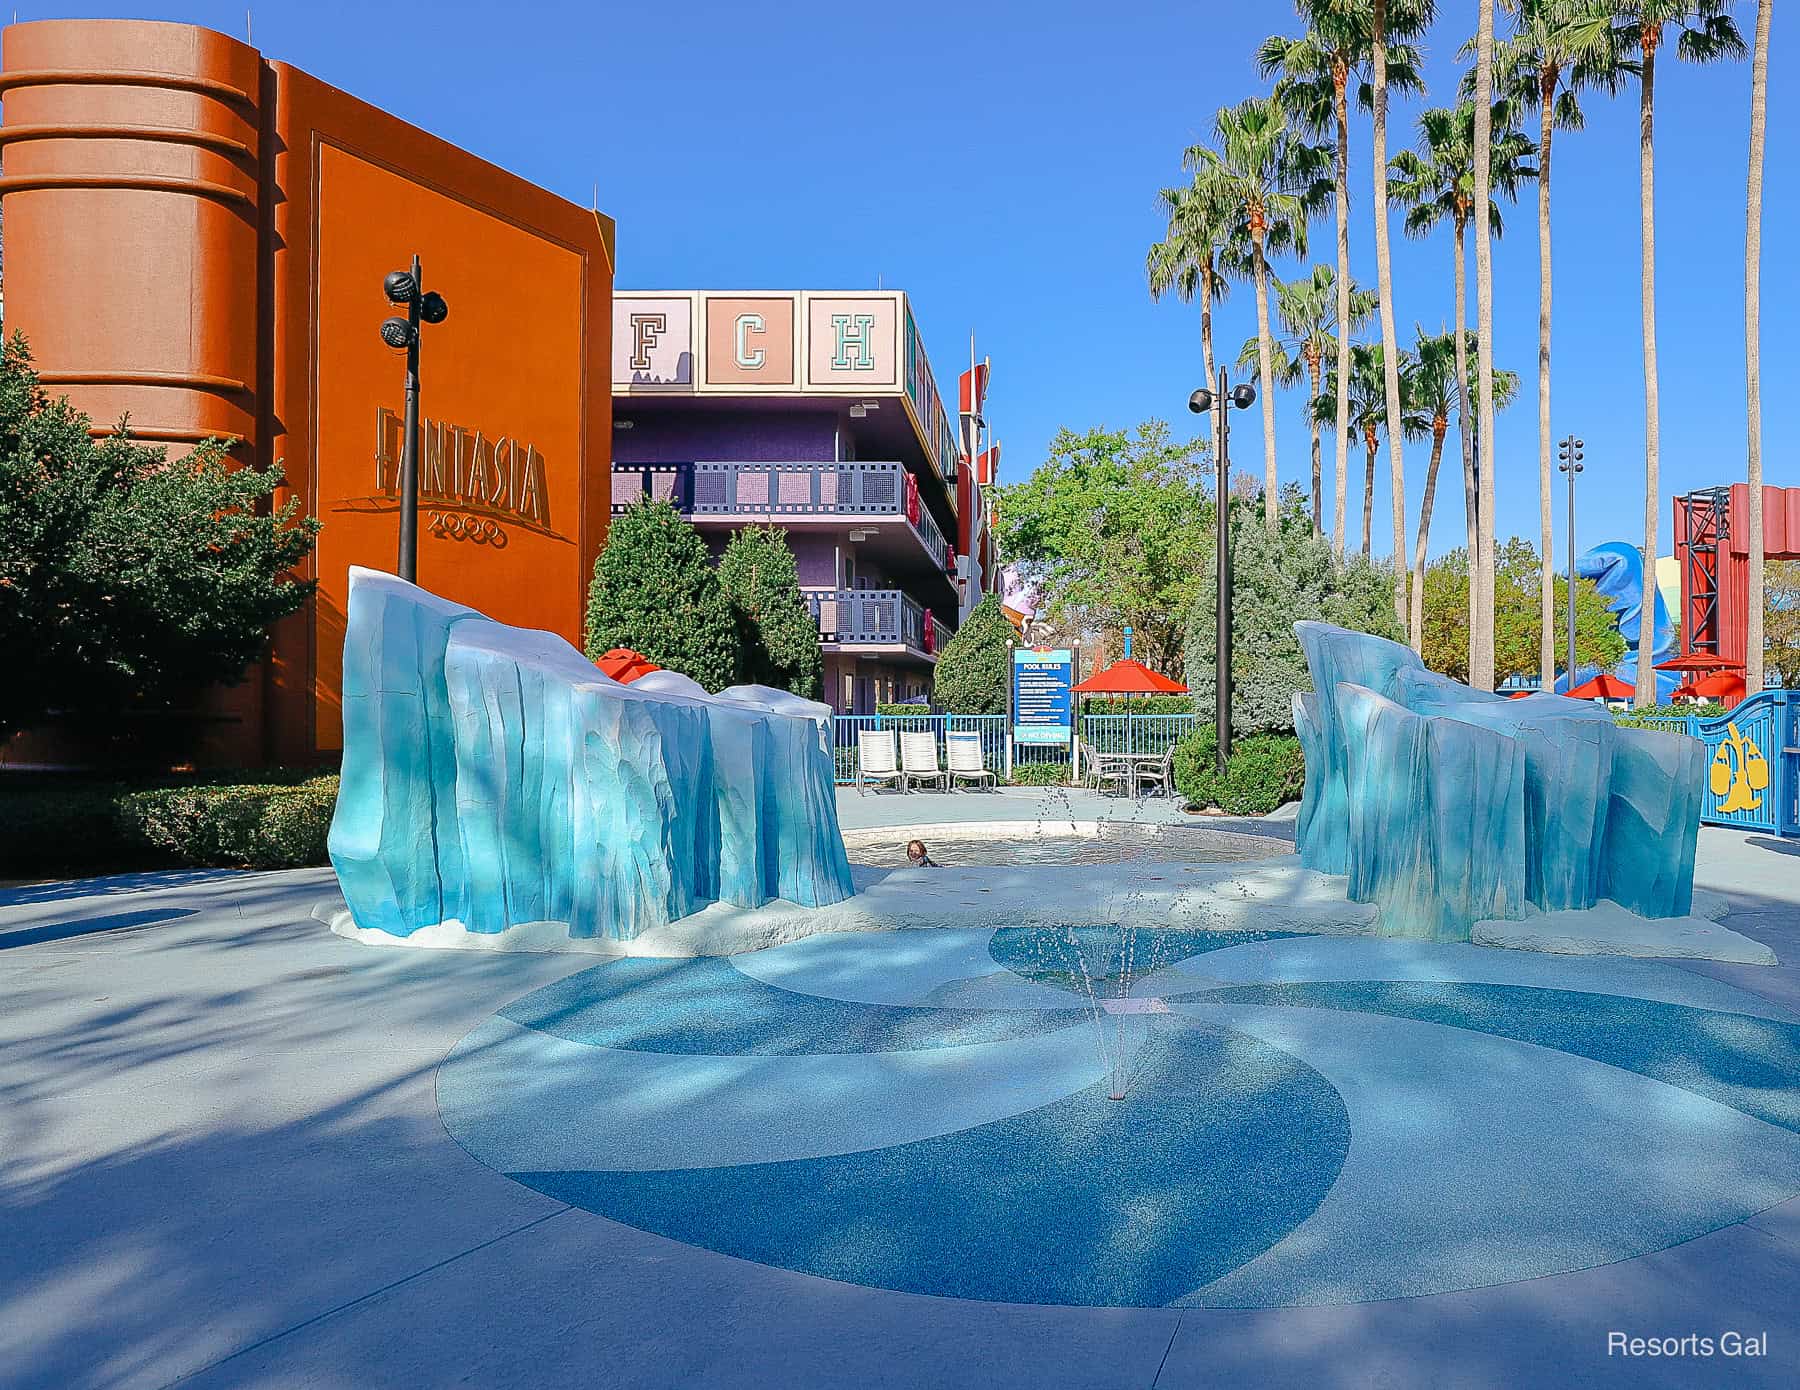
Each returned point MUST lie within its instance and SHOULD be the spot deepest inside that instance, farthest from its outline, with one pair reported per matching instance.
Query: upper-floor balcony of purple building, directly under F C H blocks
(879, 503)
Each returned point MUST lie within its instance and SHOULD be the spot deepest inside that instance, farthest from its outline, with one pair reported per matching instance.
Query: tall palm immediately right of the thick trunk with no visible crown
(1536, 68)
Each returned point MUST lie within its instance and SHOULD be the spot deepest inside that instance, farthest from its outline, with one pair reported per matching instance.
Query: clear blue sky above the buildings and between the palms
(1000, 161)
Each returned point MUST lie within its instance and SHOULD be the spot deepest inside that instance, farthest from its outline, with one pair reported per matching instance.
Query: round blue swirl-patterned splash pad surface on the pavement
(1293, 1133)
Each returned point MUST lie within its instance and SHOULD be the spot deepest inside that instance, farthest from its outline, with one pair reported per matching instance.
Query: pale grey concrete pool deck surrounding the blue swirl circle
(222, 1166)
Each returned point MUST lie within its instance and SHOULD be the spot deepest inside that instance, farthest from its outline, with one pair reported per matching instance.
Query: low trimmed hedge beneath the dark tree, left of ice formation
(93, 827)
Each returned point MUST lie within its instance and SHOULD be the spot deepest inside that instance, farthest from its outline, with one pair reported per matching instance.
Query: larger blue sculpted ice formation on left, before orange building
(494, 781)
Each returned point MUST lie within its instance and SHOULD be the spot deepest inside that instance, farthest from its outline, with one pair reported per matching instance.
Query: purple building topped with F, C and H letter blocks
(816, 413)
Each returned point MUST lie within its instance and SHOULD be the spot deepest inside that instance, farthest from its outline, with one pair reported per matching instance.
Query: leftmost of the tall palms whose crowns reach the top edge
(1315, 86)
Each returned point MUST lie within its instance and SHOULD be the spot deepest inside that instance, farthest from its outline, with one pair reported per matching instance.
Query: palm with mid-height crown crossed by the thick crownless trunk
(1437, 185)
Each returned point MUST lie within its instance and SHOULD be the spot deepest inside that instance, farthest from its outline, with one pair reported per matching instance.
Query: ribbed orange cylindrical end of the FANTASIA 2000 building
(132, 183)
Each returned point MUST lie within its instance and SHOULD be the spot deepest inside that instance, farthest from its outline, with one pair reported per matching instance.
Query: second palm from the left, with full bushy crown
(1275, 181)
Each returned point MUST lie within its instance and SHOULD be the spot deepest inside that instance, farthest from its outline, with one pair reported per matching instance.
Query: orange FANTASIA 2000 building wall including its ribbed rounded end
(199, 237)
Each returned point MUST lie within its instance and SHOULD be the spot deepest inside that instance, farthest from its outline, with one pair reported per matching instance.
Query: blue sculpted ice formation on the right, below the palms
(1448, 806)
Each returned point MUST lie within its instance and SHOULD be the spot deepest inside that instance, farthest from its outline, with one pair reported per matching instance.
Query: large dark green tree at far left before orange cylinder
(129, 581)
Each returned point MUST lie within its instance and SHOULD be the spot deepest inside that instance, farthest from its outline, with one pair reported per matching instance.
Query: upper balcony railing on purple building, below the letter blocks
(874, 491)
